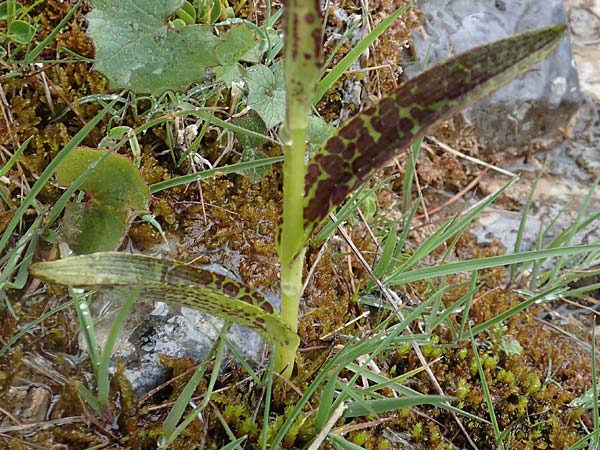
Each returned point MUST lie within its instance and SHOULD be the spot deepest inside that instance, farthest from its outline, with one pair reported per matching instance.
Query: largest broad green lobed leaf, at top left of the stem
(137, 48)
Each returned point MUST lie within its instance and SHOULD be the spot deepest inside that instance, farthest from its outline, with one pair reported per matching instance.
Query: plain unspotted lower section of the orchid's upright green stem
(292, 248)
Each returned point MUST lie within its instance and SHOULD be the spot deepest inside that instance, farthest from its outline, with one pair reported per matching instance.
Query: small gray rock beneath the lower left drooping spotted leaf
(152, 329)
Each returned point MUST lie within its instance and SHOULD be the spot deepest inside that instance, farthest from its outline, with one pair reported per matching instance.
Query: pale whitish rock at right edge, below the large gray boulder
(572, 167)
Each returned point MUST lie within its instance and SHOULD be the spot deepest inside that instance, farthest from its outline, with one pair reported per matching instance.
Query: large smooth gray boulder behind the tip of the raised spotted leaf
(531, 107)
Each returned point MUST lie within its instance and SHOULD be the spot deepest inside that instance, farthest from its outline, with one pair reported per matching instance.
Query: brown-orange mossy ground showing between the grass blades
(230, 221)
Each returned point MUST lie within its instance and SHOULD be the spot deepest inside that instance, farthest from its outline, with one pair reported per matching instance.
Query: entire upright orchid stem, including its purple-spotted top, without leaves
(302, 26)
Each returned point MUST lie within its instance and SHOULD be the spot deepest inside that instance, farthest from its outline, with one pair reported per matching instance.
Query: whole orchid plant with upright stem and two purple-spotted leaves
(311, 190)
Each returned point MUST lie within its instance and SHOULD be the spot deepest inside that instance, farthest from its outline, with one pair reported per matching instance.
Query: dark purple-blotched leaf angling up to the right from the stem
(370, 139)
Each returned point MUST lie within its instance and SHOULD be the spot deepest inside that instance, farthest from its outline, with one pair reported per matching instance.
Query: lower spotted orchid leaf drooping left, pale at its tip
(175, 283)
